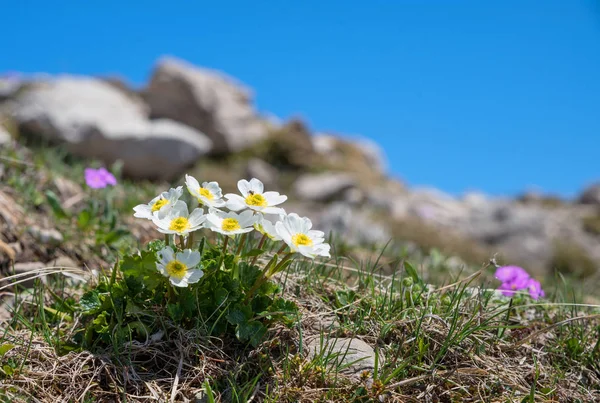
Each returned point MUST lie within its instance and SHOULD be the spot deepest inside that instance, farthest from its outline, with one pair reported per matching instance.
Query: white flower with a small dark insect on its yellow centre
(255, 198)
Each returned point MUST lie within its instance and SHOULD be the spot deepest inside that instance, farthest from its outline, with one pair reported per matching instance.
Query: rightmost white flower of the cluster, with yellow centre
(296, 232)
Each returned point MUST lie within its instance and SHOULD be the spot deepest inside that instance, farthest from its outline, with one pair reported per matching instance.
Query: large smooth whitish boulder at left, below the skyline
(97, 120)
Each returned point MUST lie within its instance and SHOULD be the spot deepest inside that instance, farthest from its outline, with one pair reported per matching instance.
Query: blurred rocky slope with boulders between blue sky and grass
(190, 118)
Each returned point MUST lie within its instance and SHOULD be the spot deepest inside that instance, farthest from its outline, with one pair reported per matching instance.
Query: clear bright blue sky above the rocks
(496, 96)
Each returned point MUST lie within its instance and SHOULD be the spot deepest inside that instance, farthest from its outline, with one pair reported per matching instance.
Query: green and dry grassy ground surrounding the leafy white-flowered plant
(440, 333)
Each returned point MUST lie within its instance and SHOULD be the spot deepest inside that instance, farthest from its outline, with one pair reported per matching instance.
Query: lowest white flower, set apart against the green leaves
(179, 267)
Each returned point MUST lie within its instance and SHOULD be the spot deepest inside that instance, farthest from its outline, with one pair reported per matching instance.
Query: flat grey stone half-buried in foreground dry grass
(354, 355)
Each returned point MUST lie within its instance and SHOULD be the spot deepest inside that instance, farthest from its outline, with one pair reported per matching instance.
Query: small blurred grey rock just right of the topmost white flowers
(323, 187)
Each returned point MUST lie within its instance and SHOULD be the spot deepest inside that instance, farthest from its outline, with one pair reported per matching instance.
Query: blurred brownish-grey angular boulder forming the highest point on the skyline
(207, 101)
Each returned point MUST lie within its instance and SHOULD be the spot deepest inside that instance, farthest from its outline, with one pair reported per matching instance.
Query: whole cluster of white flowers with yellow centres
(254, 209)
